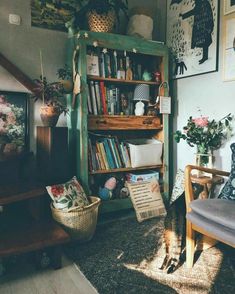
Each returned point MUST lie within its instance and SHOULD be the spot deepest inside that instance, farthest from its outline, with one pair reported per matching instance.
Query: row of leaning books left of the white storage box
(108, 153)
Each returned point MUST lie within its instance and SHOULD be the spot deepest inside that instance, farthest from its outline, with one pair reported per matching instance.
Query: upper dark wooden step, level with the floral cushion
(20, 191)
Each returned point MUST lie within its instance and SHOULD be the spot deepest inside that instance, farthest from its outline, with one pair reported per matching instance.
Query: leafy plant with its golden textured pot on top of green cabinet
(101, 15)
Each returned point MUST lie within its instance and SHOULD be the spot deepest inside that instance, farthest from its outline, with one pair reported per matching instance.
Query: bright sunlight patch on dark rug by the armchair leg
(198, 279)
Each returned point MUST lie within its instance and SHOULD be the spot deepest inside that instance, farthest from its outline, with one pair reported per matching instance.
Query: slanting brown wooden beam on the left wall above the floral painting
(17, 73)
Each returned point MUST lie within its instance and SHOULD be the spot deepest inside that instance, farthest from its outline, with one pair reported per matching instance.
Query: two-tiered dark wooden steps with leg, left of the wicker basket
(34, 234)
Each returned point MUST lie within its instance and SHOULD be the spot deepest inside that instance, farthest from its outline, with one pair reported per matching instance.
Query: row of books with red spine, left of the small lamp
(109, 99)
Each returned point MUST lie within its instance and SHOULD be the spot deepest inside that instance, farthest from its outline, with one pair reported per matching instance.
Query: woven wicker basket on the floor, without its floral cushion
(79, 223)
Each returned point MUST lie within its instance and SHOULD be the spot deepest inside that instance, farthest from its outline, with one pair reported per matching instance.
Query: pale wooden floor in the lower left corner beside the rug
(25, 279)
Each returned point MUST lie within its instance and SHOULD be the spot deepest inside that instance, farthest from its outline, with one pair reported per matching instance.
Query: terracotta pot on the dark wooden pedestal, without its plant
(49, 115)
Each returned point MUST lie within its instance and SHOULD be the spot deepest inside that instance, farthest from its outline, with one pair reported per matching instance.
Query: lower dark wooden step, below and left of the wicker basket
(31, 237)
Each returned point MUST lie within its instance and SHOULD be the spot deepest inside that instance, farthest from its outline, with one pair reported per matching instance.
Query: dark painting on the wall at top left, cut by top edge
(52, 14)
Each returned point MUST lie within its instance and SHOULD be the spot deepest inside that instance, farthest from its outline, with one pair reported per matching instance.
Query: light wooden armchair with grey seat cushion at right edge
(214, 218)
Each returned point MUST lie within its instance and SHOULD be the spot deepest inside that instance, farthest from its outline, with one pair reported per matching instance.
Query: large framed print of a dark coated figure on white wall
(192, 36)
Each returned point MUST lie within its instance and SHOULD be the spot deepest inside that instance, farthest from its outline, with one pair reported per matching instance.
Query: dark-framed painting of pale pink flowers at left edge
(13, 124)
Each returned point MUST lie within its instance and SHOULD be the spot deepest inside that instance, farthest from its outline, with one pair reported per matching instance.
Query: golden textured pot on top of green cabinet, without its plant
(101, 22)
